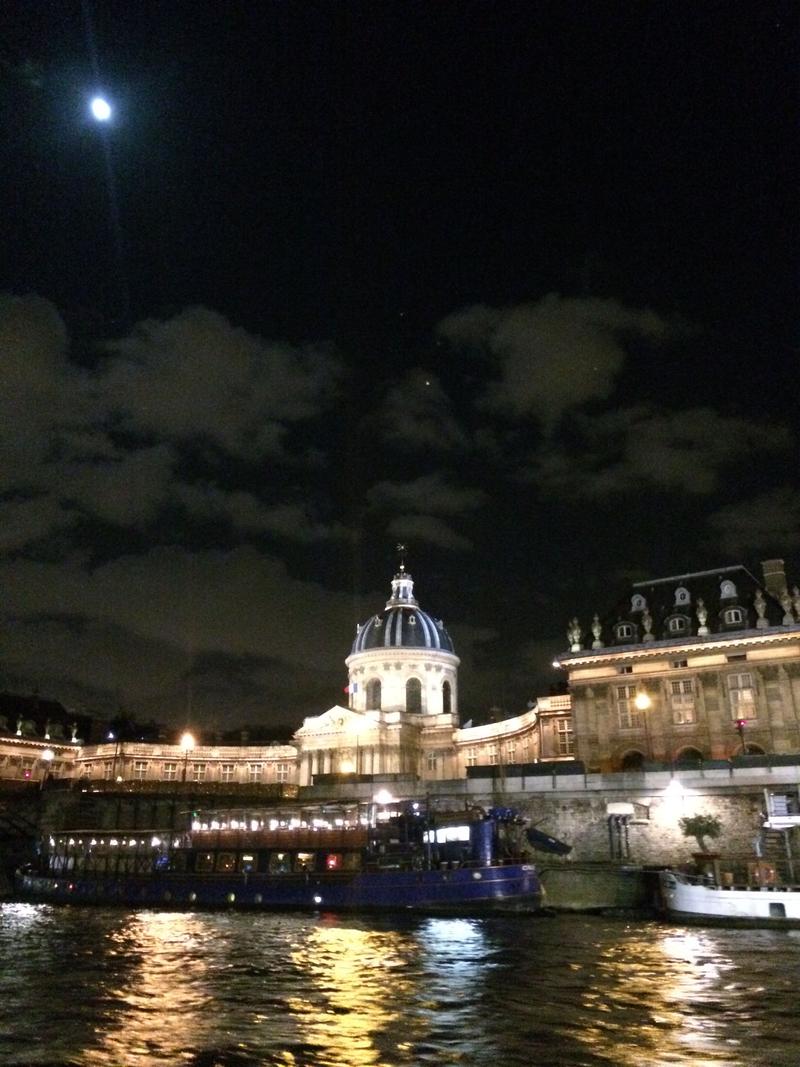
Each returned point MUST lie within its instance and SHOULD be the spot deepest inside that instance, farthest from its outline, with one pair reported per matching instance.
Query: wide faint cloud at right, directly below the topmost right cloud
(636, 449)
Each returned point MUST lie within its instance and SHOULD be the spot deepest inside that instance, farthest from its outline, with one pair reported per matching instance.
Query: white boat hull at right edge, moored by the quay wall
(692, 899)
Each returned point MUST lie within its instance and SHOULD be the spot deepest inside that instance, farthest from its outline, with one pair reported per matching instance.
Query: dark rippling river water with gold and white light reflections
(111, 988)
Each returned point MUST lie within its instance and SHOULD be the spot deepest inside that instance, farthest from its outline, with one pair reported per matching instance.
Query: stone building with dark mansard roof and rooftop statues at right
(690, 668)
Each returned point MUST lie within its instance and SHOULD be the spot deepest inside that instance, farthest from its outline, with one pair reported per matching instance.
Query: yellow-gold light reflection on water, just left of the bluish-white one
(360, 986)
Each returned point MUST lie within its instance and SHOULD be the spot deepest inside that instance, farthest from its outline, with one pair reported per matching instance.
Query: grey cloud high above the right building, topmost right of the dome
(553, 356)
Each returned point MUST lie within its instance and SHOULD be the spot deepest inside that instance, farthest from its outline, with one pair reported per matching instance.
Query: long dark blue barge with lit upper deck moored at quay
(392, 856)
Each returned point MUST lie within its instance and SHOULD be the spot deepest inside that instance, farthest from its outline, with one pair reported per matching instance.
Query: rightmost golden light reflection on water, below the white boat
(657, 990)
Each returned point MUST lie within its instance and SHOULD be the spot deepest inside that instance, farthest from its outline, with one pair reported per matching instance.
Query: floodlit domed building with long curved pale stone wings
(403, 719)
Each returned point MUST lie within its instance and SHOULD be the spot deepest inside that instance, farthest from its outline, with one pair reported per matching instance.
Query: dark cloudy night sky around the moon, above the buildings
(515, 284)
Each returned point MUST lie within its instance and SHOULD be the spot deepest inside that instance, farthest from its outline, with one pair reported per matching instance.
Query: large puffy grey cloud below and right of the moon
(197, 377)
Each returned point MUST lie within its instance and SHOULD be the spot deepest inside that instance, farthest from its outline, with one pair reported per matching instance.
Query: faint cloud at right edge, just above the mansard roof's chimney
(769, 523)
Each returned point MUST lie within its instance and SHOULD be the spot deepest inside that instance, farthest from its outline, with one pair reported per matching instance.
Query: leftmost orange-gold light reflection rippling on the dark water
(164, 1006)
